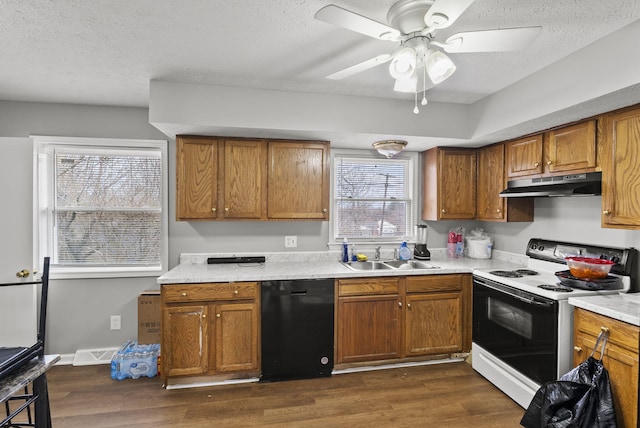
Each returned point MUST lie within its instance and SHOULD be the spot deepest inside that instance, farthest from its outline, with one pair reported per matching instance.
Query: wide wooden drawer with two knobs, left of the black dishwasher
(209, 291)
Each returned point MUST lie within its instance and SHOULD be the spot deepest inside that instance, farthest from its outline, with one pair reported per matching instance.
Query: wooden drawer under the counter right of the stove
(620, 333)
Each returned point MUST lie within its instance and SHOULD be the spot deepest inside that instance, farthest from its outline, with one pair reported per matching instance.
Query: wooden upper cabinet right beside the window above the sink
(449, 184)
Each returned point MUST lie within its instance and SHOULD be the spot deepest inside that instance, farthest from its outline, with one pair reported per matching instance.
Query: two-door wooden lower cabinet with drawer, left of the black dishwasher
(210, 329)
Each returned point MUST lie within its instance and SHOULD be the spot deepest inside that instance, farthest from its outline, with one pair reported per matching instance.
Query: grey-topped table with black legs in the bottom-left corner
(32, 372)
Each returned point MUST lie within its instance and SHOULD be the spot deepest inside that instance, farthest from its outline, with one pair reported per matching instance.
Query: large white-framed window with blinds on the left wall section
(101, 207)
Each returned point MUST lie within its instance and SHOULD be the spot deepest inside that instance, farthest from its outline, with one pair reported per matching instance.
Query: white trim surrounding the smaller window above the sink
(335, 242)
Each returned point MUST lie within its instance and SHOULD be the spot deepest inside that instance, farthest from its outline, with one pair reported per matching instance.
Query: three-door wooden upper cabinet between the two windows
(251, 179)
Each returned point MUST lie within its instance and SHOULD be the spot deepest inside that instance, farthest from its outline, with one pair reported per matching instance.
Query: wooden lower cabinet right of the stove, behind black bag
(620, 359)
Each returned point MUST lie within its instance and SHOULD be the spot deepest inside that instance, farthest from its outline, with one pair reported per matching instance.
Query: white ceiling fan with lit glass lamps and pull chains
(414, 24)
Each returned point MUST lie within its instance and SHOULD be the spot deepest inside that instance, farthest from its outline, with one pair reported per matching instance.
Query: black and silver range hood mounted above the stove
(586, 184)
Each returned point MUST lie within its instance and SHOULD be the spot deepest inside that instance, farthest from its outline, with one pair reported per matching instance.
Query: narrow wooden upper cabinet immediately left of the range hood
(491, 181)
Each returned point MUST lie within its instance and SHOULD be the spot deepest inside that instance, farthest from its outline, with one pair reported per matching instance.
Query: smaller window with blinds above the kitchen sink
(373, 198)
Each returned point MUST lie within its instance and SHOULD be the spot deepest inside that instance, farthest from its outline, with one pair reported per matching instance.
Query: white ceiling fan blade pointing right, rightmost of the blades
(508, 39)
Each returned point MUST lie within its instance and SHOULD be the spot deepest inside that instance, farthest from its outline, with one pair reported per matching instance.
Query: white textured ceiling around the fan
(105, 52)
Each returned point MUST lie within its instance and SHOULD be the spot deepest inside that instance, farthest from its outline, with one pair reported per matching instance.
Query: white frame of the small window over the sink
(413, 184)
